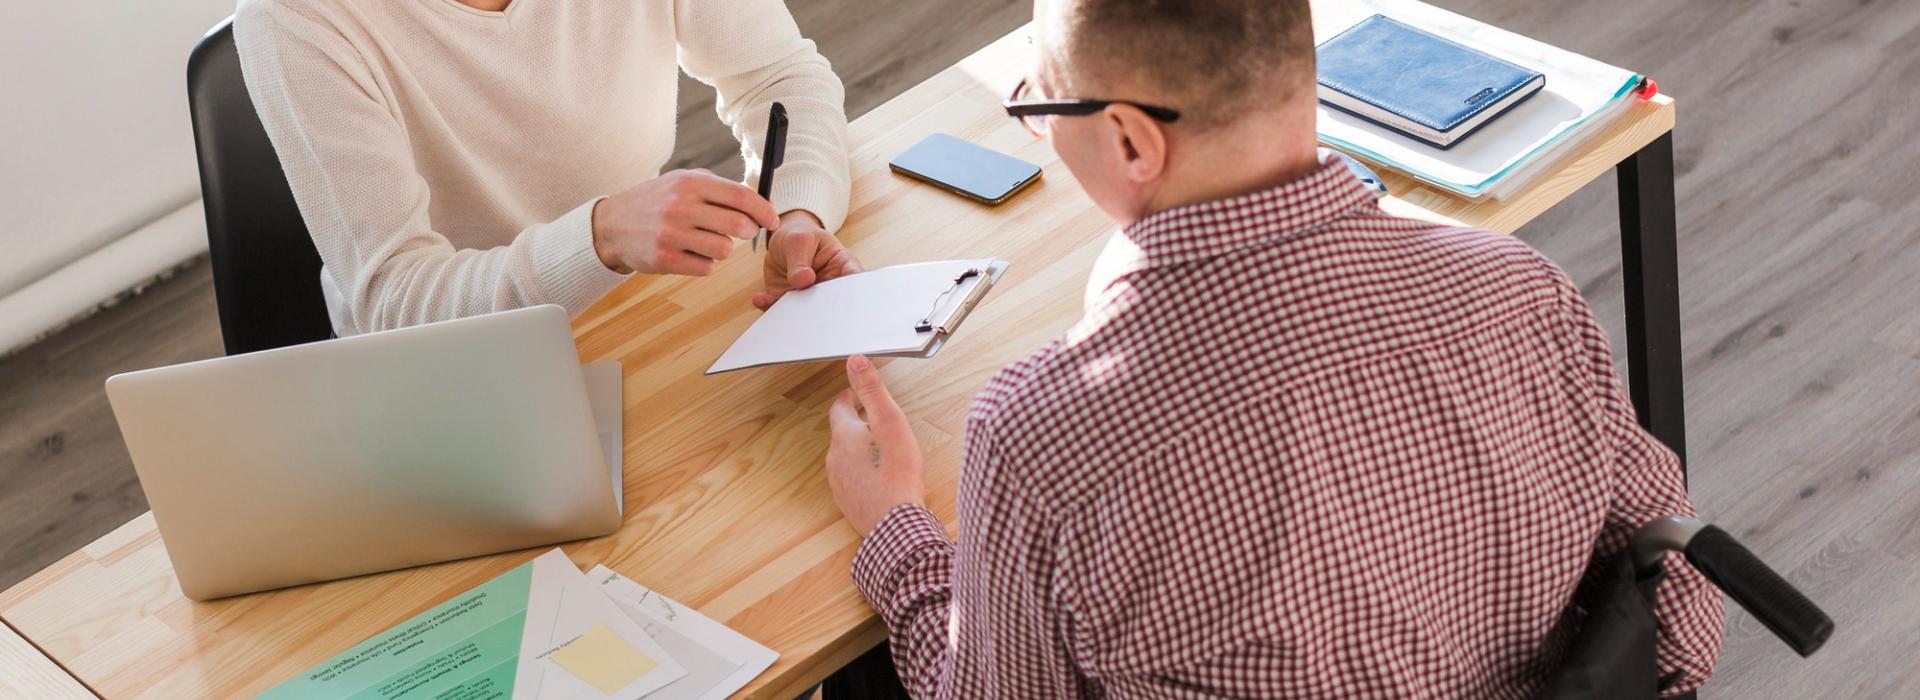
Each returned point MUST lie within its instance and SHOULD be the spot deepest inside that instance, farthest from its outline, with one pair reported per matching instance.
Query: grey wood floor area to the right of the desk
(1798, 281)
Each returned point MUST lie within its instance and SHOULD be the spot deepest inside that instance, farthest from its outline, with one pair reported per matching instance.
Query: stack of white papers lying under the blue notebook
(1579, 101)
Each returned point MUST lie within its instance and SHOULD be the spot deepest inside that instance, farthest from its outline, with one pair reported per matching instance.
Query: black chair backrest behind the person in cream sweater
(266, 271)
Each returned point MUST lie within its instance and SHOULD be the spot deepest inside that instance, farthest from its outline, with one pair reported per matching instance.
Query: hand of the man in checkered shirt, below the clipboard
(875, 457)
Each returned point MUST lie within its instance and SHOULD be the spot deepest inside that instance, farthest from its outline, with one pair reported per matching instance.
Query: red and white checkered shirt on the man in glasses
(1295, 450)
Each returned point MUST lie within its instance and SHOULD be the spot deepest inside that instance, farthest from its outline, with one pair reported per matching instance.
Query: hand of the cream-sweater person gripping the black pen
(679, 223)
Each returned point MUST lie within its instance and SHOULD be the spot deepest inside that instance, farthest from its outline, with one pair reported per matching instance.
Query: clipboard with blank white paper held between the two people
(894, 312)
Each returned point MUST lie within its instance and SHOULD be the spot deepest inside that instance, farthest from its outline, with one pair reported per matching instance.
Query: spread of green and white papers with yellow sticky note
(544, 632)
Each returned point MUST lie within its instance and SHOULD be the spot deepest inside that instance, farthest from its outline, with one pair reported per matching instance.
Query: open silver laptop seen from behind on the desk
(375, 452)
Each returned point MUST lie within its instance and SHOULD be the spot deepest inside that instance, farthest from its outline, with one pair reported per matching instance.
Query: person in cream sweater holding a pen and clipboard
(466, 156)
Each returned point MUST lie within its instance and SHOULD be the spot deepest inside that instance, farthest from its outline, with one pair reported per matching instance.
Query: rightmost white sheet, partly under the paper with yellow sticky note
(719, 661)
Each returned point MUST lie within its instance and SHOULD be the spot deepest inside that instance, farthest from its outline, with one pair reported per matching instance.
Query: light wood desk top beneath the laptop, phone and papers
(729, 509)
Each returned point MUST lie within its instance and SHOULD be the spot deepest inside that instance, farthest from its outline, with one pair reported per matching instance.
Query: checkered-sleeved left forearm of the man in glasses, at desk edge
(905, 572)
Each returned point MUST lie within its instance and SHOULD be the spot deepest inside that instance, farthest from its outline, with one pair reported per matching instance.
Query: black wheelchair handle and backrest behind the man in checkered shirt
(1612, 655)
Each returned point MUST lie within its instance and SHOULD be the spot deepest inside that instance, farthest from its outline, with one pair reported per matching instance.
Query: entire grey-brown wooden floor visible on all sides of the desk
(1798, 262)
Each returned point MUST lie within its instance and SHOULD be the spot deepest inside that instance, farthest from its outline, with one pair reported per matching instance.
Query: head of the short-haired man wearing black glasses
(1239, 72)
